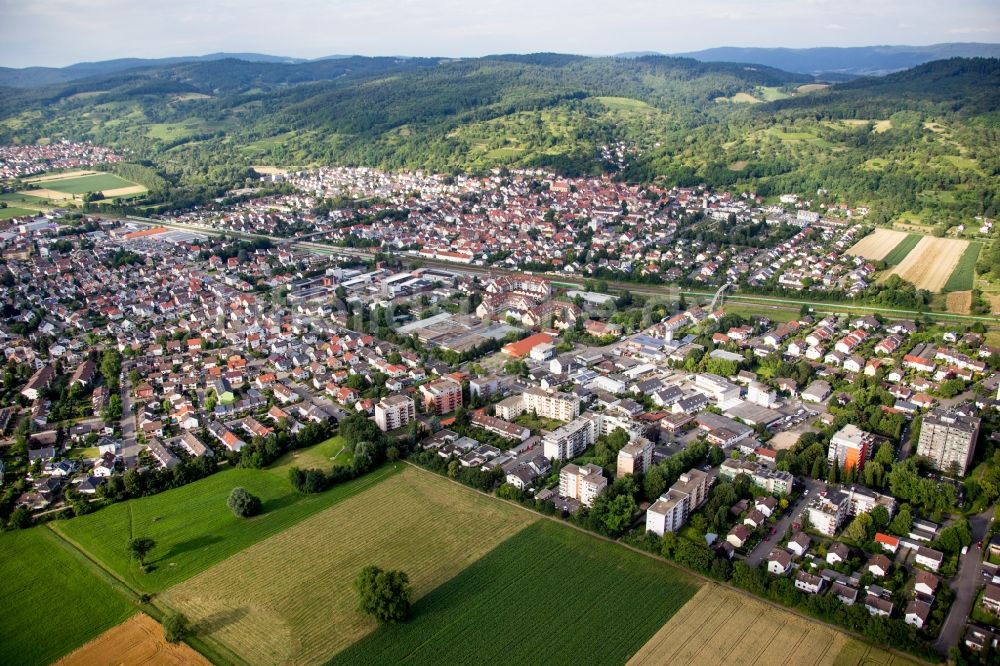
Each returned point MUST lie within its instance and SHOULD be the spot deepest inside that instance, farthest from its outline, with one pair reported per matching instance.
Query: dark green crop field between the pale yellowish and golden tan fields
(549, 594)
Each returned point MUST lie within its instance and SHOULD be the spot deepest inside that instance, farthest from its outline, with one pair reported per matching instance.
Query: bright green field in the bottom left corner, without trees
(53, 600)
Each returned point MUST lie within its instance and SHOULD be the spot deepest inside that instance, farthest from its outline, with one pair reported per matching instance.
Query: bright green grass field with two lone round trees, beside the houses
(192, 526)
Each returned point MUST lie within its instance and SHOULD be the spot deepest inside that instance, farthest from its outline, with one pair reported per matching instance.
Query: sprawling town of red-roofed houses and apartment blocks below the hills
(837, 463)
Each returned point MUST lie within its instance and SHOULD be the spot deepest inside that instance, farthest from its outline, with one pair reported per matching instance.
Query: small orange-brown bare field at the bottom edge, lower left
(137, 641)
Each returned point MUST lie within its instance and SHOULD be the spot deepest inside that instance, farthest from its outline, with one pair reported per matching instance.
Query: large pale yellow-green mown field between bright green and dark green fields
(290, 600)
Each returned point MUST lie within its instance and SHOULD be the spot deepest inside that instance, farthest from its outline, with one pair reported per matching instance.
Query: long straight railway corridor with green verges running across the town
(649, 290)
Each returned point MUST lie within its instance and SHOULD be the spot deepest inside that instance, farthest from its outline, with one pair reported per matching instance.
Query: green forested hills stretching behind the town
(923, 140)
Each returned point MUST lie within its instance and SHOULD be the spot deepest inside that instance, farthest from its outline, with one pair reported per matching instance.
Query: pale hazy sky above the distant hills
(61, 32)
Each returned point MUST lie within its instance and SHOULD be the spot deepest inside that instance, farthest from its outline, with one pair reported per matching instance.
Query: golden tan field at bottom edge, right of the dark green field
(722, 626)
